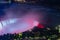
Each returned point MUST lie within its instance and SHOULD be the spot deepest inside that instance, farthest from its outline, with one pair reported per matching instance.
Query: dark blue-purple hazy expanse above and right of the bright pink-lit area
(49, 16)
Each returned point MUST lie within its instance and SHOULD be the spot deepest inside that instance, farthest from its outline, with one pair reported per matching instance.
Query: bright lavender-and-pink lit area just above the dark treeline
(18, 25)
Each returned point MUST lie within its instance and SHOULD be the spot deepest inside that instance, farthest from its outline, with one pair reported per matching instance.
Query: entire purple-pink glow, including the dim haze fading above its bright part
(16, 21)
